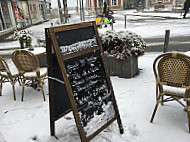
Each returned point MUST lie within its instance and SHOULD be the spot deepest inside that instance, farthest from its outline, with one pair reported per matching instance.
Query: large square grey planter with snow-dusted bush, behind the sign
(122, 50)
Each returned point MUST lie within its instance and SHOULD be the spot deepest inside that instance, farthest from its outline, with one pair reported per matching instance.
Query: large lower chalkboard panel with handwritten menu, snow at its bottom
(91, 90)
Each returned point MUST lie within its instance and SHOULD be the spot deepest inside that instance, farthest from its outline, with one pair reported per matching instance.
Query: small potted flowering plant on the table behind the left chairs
(24, 37)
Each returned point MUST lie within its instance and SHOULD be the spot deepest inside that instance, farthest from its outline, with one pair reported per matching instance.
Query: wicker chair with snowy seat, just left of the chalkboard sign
(29, 69)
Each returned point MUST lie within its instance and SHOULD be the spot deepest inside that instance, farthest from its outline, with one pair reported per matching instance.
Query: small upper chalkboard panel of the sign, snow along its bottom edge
(71, 41)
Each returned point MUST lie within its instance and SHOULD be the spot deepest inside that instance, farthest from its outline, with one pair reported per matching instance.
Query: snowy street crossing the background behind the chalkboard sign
(150, 26)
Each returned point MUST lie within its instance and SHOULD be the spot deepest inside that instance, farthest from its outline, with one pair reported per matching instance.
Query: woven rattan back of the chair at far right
(174, 69)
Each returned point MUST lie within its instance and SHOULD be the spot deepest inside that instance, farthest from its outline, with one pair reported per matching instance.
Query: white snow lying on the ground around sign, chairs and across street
(28, 121)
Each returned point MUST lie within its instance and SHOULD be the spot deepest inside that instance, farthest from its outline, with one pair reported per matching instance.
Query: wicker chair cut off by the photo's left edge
(7, 76)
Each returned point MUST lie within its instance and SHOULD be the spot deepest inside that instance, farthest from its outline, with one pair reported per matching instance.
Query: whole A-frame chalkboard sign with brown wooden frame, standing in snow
(78, 79)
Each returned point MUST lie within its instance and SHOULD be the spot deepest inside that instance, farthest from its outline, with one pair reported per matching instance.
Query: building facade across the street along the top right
(96, 5)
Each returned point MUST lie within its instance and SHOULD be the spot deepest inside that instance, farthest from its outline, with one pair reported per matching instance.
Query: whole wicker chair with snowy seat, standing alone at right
(172, 73)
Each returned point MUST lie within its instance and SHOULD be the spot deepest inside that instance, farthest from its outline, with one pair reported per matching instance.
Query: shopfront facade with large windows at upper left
(18, 14)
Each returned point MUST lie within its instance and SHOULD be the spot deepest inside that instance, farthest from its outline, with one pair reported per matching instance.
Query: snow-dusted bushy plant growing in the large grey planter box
(122, 44)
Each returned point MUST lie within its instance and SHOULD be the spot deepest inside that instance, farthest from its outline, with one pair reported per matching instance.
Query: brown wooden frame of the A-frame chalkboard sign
(53, 51)
